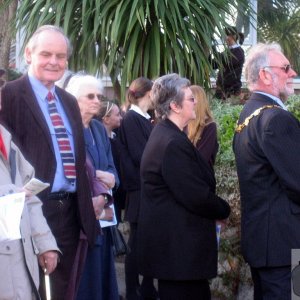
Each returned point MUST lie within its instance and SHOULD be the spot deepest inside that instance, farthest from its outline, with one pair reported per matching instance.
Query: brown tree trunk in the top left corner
(6, 30)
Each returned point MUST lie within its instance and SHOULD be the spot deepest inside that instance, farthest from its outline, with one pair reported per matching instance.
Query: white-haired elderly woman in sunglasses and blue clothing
(99, 276)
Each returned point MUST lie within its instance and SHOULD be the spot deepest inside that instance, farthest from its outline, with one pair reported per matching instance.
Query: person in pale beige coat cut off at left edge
(19, 257)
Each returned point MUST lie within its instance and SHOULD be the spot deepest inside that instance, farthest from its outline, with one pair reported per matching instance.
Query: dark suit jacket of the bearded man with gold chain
(267, 155)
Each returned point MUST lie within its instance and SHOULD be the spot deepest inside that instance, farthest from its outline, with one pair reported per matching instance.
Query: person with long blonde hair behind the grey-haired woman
(202, 131)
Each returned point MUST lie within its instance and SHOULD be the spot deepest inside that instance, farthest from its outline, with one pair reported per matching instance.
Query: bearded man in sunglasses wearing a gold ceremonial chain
(266, 146)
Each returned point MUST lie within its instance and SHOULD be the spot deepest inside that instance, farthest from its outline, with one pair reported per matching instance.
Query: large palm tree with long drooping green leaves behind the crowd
(131, 38)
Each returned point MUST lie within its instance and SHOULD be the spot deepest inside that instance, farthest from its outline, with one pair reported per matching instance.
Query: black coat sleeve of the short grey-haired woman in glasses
(190, 188)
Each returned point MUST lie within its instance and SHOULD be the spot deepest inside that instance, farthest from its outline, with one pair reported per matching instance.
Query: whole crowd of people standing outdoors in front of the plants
(99, 161)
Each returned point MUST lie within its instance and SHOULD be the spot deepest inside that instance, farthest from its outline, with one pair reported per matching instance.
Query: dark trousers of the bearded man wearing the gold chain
(272, 283)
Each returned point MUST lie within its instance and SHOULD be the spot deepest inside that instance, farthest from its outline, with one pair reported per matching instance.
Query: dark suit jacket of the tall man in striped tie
(23, 117)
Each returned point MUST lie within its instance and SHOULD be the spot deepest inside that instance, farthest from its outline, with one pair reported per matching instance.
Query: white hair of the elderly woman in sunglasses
(79, 82)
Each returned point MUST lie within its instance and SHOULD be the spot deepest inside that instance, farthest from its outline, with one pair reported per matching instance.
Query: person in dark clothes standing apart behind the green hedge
(232, 60)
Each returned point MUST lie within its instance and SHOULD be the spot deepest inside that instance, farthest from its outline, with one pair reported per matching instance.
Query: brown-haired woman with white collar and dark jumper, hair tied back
(134, 133)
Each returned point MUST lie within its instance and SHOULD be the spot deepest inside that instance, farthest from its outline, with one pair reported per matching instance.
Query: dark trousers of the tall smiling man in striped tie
(62, 219)
